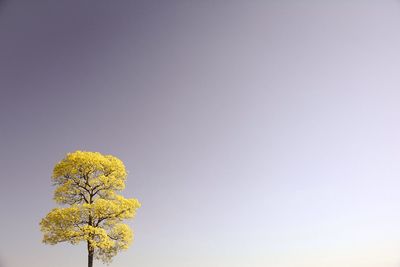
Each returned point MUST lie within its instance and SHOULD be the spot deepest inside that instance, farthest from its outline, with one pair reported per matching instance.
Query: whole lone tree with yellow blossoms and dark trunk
(87, 184)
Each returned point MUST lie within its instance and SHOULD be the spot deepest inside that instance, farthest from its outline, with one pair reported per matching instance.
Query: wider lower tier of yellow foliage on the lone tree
(99, 223)
